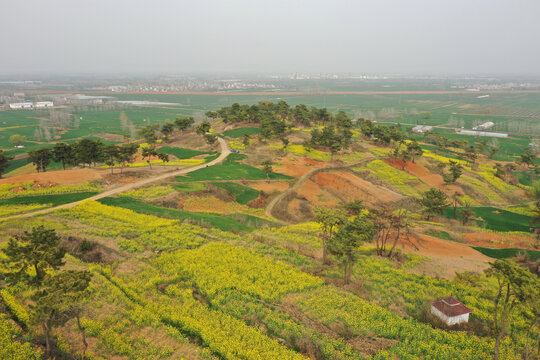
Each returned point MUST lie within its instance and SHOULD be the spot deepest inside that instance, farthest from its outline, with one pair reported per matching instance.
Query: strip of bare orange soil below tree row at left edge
(63, 177)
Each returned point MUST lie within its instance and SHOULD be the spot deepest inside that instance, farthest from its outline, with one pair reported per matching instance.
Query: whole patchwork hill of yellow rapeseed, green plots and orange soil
(211, 255)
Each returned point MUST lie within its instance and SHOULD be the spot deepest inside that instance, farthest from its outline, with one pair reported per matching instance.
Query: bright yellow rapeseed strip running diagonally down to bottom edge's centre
(226, 336)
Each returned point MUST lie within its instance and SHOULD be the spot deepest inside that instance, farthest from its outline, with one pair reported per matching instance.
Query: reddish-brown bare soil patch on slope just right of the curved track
(349, 187)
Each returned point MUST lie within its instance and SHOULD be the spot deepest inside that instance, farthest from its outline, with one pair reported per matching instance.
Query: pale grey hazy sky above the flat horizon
(175, 36)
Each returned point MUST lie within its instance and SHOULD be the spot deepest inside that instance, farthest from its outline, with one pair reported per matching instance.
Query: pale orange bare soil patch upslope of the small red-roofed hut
(447, 257)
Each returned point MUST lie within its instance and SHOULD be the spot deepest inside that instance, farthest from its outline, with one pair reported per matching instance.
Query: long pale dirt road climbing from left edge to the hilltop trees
(225, 151)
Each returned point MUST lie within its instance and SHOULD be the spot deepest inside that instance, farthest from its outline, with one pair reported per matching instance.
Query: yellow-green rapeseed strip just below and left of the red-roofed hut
(415, 340)
